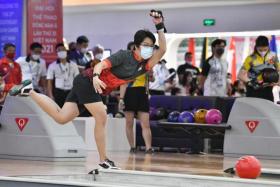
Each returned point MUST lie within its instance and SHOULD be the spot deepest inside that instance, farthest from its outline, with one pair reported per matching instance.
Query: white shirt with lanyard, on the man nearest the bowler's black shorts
(63, 74)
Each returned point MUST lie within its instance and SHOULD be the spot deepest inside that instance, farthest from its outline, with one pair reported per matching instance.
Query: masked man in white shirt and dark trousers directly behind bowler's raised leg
(60, 76)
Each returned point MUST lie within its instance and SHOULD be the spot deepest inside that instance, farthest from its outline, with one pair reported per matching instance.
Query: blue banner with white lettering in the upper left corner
(11, 16)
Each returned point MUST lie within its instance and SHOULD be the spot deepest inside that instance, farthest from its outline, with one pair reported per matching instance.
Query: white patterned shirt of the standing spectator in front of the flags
(216, 81)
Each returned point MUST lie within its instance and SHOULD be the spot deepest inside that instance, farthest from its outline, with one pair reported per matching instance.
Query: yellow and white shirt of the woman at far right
(255, 60)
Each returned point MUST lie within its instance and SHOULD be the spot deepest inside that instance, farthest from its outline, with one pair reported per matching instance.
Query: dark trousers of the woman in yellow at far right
(264, 93)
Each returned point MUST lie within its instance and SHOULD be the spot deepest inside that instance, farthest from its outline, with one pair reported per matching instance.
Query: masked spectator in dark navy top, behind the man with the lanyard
(81, 56)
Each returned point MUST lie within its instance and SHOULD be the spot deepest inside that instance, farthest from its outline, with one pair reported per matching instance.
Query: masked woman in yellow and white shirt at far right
(254, 66)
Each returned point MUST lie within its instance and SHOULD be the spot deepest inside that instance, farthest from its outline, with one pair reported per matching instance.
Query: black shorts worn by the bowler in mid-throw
(83, 92)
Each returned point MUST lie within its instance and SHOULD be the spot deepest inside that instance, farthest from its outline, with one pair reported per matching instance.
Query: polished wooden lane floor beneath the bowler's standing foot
(209, 164)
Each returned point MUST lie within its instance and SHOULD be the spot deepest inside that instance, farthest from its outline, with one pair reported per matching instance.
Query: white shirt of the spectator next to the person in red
(32, 70)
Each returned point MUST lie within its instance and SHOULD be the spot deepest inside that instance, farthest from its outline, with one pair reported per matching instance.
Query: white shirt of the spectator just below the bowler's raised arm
(160, 74)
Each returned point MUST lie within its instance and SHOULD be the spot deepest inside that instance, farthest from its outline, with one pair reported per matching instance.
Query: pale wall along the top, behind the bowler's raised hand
(113, 28)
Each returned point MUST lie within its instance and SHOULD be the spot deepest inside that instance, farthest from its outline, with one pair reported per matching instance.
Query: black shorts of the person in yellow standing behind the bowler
(136, 99)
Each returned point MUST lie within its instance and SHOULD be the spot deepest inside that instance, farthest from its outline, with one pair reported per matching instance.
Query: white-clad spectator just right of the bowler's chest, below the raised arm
(161, 74)
